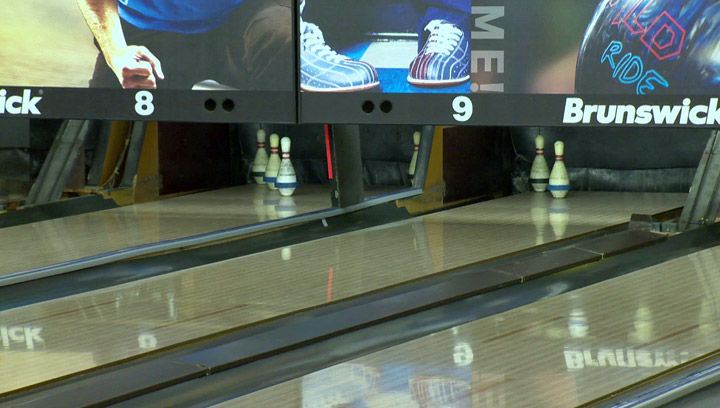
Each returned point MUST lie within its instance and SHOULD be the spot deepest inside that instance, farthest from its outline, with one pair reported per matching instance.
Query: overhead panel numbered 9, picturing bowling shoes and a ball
(516, 62)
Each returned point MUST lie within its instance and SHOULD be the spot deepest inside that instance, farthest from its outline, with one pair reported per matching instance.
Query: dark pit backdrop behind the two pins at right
(616, 159)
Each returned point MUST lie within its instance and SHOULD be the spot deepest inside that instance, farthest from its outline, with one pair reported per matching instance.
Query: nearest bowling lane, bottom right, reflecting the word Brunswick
(559, 352)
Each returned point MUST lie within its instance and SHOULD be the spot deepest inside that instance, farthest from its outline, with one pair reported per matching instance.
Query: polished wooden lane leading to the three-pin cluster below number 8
(40, 244)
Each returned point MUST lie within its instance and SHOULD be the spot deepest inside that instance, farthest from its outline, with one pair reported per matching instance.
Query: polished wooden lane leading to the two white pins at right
(128, 320)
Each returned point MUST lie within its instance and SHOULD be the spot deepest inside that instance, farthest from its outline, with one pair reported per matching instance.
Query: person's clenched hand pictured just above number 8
(136, 67)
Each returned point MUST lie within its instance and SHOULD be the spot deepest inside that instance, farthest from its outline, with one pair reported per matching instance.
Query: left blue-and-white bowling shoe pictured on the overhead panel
(324, 70)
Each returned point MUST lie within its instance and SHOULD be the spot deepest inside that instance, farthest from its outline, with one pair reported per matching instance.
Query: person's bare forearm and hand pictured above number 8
(135, 66)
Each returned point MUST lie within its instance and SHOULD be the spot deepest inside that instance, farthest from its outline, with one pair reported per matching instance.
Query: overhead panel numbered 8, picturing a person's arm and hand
(169, 60)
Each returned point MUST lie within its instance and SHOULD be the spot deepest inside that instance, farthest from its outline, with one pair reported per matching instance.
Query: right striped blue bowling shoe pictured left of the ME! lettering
(444, 59)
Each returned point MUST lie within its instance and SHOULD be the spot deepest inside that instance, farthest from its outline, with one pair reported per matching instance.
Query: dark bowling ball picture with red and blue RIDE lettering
(651, 47)
